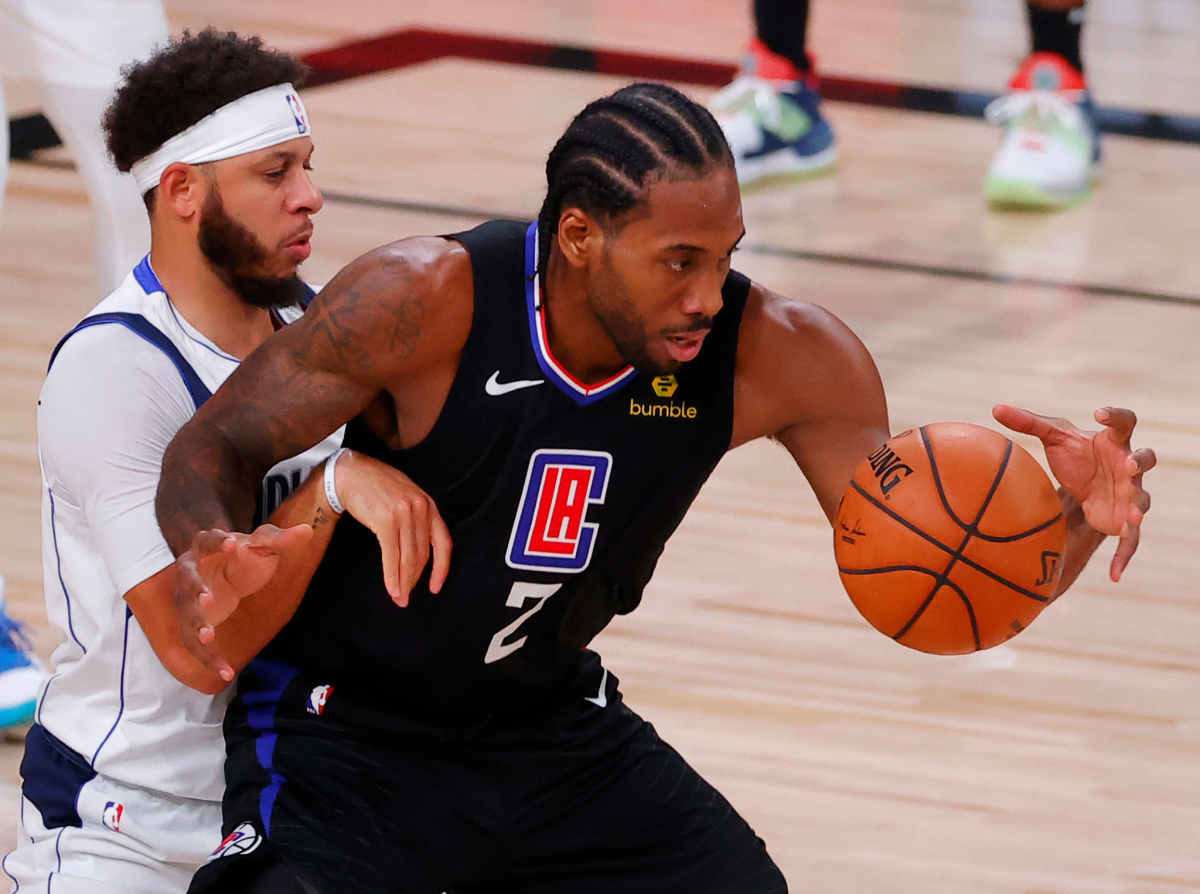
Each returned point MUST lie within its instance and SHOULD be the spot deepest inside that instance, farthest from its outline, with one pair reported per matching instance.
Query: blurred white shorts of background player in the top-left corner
(79, 43)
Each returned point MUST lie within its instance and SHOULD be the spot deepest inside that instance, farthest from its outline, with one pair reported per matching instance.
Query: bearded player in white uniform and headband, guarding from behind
(123, 769)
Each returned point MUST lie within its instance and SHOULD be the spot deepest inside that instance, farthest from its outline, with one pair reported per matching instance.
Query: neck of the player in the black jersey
(577, 338)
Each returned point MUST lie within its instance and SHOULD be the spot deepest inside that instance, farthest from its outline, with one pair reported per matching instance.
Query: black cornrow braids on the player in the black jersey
(604, 163)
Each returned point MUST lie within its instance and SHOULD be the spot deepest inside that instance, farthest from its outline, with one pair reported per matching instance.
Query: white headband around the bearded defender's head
(259, 121)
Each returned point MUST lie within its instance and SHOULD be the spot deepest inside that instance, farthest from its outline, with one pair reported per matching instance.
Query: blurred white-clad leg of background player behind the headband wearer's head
(121, 226)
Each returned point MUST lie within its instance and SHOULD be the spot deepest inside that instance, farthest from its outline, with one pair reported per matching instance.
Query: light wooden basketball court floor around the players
(1066, 763)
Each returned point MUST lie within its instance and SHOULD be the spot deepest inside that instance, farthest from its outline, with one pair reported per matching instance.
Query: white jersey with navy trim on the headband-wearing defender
(112, 403)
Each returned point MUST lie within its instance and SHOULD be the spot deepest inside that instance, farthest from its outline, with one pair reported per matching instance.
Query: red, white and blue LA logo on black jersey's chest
(550, 532)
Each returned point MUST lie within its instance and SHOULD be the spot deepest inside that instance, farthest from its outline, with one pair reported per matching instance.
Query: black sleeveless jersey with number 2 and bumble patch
(560, 499)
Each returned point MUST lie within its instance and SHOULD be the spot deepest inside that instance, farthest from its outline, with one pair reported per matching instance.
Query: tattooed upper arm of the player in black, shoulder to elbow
(302, 385)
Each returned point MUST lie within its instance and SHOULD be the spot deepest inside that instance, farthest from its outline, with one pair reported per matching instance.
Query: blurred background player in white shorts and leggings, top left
(75, 51)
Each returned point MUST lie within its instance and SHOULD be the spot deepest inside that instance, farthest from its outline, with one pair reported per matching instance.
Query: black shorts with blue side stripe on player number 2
(589, 801)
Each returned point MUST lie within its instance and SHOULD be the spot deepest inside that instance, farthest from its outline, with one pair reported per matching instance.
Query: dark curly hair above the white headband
(183, 83)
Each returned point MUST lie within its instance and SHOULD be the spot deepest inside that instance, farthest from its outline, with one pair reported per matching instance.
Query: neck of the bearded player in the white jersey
(206, 301)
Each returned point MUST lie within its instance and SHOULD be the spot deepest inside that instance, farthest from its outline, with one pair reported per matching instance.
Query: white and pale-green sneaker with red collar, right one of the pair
(1051, 155)
